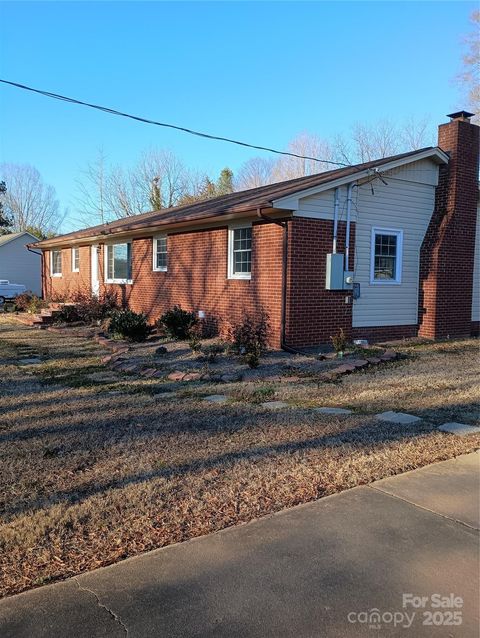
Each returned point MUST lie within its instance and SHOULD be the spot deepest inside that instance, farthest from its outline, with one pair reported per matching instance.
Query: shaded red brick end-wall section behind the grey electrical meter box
(314, 313)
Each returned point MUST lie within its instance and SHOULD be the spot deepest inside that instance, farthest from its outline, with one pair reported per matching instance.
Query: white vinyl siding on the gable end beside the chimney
(404, 203)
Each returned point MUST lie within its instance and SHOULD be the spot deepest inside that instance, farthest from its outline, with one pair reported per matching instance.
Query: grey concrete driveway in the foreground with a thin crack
(396, 558)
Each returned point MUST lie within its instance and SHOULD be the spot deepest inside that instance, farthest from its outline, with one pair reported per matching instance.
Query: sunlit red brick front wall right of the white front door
(197, 277)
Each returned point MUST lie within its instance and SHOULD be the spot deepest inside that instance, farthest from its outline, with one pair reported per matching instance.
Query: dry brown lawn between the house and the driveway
(96, 468)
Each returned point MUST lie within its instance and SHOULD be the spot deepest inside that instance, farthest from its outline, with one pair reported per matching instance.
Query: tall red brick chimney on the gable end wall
(447, 253)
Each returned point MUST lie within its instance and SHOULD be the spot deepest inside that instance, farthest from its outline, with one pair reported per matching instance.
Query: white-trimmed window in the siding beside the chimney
(386, 256)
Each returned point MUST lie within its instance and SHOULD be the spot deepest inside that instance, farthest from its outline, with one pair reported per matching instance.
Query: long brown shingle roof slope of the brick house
(225, 204)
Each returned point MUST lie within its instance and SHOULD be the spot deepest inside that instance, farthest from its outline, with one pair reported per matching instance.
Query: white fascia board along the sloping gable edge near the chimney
(291, 202)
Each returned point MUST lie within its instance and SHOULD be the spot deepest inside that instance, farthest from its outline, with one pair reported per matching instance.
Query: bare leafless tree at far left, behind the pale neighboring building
(27, 200)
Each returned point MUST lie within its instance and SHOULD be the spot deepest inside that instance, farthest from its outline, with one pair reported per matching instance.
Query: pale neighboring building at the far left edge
(19, 265)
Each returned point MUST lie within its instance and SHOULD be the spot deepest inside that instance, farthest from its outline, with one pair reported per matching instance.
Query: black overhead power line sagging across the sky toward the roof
(106, 109)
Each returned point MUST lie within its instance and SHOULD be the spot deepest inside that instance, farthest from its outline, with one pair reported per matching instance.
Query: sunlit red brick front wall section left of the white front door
(70, 282)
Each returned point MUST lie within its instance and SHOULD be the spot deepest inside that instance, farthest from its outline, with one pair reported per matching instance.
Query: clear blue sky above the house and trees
(261, 72)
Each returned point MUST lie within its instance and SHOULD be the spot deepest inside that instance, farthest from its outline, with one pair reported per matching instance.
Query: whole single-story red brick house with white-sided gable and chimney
(406, 234)
